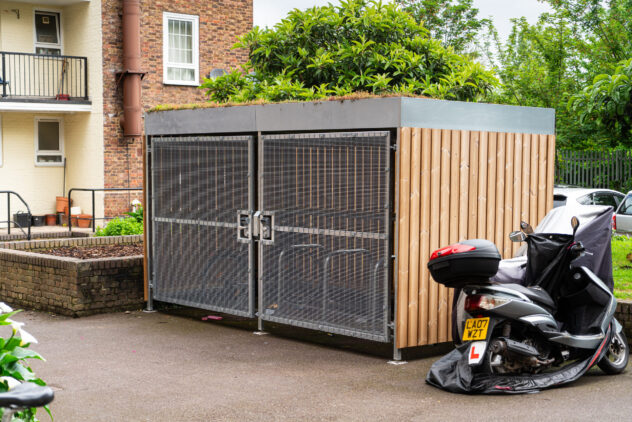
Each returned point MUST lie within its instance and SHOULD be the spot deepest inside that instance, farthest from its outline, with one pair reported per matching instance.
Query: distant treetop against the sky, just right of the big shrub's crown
(454, 22)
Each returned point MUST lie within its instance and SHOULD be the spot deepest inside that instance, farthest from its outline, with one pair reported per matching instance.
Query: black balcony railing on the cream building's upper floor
(40, 77)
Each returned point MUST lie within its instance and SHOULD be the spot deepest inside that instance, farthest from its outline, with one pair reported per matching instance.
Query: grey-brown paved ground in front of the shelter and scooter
(164, 367)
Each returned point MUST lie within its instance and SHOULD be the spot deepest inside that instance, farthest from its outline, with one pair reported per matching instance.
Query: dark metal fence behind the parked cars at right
(595, 169)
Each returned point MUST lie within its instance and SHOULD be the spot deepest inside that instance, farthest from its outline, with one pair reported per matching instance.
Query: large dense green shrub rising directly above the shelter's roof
(358, 46)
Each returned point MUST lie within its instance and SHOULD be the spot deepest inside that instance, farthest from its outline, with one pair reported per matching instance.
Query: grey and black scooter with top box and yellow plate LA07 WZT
(517, 338)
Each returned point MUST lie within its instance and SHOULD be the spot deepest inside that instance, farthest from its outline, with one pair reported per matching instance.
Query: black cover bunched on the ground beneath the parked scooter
(453, 373)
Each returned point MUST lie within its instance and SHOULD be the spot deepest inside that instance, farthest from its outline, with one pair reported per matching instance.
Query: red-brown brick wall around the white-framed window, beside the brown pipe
(221, 21)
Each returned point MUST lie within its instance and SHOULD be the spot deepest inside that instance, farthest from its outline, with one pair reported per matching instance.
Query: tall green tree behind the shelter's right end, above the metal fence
(548, 63)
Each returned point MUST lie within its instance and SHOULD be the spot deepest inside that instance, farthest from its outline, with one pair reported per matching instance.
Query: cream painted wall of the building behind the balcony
(83, 132)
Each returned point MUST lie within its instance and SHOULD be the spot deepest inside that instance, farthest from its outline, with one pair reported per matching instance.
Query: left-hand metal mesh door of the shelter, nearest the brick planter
(199, 184)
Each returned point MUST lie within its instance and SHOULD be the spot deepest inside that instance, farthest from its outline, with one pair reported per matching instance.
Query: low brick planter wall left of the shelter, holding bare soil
(70, 286)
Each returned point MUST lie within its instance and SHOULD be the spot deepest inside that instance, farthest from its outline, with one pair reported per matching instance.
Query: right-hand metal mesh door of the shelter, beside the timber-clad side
(324, 258)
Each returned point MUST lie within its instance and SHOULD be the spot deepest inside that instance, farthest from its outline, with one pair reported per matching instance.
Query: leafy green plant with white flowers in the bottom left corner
(14, 367)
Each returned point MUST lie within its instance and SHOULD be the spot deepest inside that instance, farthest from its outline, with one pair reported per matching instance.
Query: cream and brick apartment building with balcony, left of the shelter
(61, 96)
